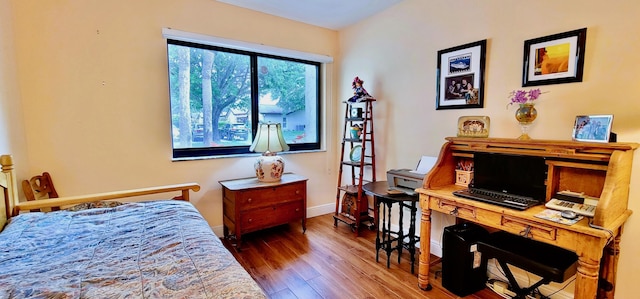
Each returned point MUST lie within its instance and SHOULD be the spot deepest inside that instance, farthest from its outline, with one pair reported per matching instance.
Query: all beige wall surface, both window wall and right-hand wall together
(91, 77)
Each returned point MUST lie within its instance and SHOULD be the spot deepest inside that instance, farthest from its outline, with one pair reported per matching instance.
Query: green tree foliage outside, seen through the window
(231, 85)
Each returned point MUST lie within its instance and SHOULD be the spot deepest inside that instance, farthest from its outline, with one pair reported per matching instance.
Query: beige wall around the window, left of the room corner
(93, 81)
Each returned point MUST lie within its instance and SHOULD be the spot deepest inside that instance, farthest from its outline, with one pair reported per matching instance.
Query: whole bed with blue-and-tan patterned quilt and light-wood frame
(144, 249)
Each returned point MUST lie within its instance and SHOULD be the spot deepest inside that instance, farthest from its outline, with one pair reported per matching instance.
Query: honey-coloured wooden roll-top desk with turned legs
(598, 169)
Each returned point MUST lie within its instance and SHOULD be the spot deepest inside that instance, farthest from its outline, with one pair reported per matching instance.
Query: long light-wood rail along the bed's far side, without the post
(72, 200)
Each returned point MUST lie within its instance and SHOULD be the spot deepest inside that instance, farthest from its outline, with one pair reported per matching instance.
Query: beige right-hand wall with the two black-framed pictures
(395, 53)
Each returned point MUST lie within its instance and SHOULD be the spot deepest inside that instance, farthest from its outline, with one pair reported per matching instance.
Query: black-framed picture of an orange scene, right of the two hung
(554, 59)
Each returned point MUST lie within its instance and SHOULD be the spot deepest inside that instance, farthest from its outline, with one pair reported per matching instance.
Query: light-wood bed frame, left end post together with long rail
(12, 206)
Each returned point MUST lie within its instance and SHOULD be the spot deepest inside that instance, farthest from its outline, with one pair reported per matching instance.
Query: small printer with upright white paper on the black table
(407, 180)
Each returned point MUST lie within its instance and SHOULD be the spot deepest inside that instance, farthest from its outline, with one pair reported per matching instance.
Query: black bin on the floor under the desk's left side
(464, 269)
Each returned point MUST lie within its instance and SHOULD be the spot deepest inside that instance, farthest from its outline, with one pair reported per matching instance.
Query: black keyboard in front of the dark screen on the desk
(498, 198)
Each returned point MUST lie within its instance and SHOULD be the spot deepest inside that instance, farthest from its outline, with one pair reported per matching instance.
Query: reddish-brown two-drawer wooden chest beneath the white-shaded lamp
(250, 205)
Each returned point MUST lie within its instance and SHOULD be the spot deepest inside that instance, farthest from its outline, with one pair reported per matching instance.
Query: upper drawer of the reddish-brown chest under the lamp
(269, 196)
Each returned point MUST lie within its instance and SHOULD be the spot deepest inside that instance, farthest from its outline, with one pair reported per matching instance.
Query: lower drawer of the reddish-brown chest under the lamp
(265, 217)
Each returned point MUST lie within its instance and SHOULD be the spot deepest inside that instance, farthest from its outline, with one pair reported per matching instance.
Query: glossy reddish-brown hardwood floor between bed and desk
(330, 262)
